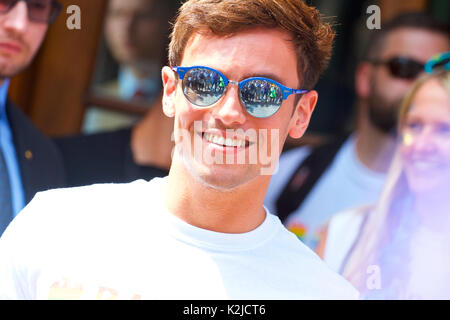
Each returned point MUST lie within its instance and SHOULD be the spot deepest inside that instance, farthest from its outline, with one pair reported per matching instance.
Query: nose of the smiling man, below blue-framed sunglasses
(229, 109)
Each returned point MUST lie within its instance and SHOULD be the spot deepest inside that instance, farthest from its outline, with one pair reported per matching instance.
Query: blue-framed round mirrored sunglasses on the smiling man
(261, 97)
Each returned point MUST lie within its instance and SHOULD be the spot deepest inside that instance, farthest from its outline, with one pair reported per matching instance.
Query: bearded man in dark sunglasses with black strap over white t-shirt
(350, 171)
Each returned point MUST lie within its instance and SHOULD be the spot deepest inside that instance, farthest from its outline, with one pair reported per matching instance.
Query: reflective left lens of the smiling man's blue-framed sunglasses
(203, 87)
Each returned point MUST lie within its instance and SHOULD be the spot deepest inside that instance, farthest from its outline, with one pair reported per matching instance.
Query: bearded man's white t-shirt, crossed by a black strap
(345, 184)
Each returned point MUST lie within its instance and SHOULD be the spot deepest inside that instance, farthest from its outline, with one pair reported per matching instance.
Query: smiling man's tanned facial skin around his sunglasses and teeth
(231, 56)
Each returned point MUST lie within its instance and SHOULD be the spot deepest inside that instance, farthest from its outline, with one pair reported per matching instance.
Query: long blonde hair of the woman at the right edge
(375, 232)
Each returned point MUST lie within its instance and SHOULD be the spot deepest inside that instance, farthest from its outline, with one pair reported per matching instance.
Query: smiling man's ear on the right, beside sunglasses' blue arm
(302, 114)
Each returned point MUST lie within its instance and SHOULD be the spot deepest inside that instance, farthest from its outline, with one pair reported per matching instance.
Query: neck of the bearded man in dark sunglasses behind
(374, 148)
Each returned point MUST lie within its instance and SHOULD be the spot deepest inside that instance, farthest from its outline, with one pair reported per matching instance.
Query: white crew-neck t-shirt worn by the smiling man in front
(119, 241)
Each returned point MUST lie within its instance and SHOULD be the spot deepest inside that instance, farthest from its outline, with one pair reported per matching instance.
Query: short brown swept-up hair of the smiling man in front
(312, 38)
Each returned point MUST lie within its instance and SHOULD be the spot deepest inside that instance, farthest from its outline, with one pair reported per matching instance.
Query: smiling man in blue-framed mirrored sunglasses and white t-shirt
(240, 80)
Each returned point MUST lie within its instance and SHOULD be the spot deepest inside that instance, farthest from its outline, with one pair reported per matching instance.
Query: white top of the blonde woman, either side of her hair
(426, 269)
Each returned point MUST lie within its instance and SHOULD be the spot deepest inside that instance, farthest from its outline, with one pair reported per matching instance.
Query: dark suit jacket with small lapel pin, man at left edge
(40, 163)
